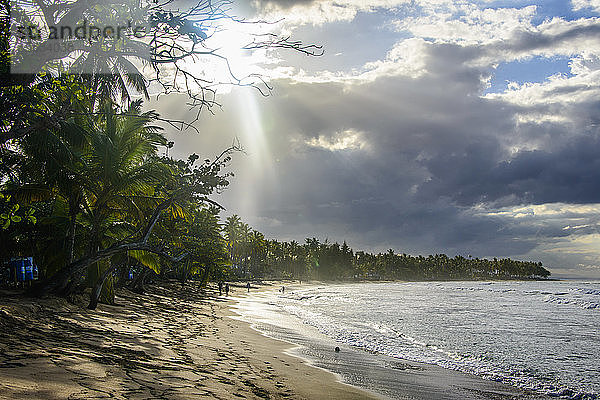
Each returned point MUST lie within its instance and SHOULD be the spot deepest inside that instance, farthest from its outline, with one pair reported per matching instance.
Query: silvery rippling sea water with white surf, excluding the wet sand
(417, 327)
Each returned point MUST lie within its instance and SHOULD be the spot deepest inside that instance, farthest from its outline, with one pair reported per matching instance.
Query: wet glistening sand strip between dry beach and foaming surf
(381, 375)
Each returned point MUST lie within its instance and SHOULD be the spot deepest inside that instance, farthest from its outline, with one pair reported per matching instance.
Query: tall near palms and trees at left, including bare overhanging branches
(77, 148)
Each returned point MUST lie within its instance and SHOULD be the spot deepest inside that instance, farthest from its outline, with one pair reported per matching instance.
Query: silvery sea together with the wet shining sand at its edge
(539, 336)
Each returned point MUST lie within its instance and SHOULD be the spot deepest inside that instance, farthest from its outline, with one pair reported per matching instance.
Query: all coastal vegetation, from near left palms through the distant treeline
(89, 192)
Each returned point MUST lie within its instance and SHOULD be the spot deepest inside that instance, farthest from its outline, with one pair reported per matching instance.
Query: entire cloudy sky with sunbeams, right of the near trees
(427, 126)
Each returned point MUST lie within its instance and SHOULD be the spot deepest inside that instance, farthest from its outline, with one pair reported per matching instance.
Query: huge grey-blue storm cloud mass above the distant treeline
(433, 148)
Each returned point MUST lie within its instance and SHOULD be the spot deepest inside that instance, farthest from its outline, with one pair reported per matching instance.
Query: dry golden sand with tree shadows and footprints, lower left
(166, 344)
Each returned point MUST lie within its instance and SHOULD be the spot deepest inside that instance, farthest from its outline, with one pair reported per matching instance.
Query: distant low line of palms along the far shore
(253, 256)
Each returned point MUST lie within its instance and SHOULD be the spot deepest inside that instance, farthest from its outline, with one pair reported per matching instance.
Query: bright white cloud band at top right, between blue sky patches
(502, 35)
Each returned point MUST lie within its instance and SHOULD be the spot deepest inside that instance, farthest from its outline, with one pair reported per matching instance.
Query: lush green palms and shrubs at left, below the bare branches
(101, 179)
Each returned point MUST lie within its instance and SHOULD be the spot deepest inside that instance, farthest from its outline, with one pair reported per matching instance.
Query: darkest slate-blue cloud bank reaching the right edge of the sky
(570, 174)
